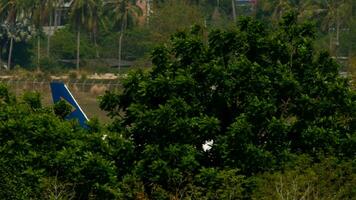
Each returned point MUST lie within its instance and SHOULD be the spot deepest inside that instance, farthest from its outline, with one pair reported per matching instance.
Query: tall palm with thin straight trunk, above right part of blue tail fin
(81, 11)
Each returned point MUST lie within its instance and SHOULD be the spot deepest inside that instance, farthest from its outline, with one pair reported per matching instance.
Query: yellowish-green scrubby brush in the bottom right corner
(330, 179)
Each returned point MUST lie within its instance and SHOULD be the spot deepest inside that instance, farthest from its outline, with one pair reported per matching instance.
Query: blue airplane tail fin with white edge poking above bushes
(61, 92)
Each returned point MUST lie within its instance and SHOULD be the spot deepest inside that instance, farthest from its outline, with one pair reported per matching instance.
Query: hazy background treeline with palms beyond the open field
(48, 34)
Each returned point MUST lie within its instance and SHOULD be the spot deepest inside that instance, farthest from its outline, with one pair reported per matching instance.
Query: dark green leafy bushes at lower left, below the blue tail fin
(42, 156)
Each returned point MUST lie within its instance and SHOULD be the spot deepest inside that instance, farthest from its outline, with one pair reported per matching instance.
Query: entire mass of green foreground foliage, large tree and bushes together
(280, 121)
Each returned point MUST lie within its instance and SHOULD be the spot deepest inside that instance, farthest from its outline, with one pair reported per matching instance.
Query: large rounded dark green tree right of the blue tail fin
(261, 96)
